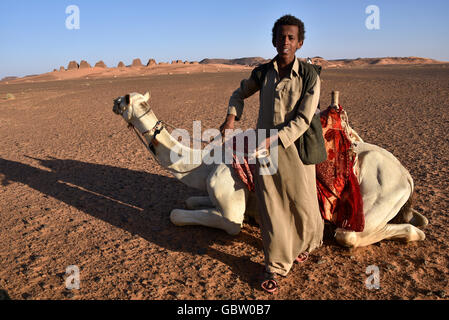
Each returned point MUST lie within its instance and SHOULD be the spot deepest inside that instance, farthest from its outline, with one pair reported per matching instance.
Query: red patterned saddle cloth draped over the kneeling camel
(338, 190)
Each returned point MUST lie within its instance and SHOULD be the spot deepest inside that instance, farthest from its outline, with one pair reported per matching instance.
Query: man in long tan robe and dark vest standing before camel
(291, 223)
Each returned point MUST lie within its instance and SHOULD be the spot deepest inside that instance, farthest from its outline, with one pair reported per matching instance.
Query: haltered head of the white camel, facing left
(133, 107)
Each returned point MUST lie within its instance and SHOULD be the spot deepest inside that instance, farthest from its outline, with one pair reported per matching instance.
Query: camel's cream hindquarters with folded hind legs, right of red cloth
(386, 187)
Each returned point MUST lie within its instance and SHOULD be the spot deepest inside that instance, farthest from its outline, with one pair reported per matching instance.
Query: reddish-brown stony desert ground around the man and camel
(70, 194)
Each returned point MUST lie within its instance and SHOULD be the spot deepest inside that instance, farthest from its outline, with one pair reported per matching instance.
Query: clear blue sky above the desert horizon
(34, 37)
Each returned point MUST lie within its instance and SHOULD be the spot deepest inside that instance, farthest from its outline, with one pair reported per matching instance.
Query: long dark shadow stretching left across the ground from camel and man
(135, 201)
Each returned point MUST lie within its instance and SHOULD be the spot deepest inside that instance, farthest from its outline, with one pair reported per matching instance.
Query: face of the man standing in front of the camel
(287, 42)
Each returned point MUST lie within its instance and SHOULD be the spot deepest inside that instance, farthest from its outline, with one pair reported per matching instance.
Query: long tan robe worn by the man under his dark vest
(291, 222)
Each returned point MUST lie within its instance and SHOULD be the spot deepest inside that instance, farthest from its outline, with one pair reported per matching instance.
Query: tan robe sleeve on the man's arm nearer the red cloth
(298, 125)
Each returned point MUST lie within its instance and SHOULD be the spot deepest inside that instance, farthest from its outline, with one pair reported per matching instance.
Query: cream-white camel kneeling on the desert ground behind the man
(386, 186)
